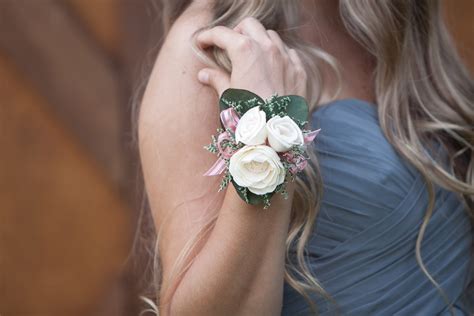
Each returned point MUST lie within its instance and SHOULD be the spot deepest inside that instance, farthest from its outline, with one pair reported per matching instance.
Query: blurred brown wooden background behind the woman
(69, 195)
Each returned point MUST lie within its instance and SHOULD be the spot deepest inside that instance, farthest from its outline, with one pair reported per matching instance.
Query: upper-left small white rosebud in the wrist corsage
(251, 127)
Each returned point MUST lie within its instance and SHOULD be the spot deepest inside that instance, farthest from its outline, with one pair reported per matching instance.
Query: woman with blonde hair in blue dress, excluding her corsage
(380, 227)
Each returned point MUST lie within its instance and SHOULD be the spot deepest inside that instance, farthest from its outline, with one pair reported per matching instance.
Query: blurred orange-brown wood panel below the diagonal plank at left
(64, 230)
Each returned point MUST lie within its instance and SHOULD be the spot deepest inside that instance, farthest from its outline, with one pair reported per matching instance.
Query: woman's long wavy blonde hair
(423, 93)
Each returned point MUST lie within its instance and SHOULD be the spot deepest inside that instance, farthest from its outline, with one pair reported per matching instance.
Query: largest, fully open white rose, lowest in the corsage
(257, 168)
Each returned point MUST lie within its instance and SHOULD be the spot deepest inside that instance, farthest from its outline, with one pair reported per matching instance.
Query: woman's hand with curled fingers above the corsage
(261, 62)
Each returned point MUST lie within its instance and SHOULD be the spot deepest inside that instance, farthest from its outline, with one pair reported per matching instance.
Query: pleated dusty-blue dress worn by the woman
(362, 250)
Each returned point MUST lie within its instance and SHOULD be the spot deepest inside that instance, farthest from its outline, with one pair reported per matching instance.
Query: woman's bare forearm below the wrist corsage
(240, 269)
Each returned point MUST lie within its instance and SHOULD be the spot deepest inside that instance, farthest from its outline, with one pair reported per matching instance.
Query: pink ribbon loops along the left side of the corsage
(229, 118)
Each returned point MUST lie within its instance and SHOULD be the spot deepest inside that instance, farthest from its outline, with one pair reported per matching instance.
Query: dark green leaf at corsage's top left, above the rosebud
(240, 99)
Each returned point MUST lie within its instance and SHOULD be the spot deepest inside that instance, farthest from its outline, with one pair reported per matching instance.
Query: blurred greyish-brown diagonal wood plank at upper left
(80, 82)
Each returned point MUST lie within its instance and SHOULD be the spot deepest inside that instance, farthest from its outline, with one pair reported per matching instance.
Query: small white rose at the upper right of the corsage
(283, 133)
